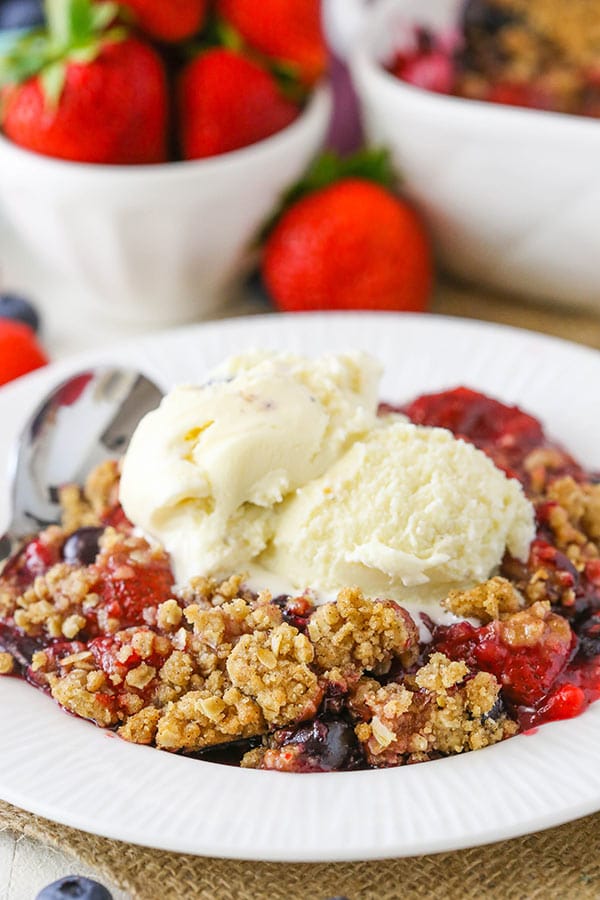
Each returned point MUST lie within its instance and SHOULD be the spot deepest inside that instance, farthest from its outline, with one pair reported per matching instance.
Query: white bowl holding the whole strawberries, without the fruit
(159, 244)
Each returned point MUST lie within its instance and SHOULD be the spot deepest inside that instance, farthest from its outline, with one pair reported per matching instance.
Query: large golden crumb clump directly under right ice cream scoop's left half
(357, 634)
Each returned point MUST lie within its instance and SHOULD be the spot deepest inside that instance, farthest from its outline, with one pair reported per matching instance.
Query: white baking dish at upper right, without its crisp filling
(512, 196)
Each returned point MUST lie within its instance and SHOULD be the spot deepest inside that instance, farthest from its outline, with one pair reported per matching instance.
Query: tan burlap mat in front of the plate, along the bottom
(561, 863)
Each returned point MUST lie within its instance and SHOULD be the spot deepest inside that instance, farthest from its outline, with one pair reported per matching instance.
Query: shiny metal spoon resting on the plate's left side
(85, 420)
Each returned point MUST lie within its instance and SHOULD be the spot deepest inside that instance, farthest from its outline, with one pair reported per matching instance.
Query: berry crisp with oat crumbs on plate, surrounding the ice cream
(91, 615)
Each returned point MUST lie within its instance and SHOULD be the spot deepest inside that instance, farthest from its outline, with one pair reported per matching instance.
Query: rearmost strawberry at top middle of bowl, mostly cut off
(165, 20)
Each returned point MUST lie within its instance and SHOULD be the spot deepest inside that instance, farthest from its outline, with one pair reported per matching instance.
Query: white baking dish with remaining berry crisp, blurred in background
(491, 117)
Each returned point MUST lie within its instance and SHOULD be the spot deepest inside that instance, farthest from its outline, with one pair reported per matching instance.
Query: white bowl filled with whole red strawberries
(143, 145)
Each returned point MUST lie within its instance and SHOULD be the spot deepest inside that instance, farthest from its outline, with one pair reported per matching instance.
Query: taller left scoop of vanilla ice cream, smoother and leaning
(204, 472)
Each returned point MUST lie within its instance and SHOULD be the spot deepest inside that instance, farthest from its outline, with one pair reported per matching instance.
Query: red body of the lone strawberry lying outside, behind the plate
(349, 245)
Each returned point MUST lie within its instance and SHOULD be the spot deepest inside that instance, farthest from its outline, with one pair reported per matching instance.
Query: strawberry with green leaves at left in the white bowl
(81, 93)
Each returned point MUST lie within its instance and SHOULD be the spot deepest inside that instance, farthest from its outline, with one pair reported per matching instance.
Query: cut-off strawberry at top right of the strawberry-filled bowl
(287, 30)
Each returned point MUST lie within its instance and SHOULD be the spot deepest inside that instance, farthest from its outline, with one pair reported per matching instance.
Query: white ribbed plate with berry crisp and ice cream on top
(344, 716)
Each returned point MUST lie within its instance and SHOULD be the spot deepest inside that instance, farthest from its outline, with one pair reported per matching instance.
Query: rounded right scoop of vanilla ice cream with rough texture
(406, 512)
